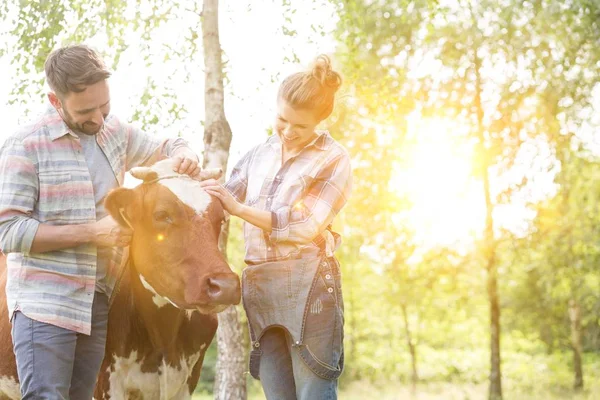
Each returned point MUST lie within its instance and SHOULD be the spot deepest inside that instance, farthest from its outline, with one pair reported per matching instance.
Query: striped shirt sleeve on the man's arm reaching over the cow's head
(145, 149)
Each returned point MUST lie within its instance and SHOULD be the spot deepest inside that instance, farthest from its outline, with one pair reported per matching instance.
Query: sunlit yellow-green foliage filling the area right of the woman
(522, 75)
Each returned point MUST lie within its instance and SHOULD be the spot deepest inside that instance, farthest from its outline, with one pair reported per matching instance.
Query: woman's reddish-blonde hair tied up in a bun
(313, 89)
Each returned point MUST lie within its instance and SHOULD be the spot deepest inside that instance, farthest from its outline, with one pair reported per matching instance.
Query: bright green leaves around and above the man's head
(114, 28)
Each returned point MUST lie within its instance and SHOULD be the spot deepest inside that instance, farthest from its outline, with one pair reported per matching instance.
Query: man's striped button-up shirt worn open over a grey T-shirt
(44, 178)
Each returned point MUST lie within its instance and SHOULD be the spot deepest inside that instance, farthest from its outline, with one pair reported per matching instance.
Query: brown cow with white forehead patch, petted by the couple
(163, 313)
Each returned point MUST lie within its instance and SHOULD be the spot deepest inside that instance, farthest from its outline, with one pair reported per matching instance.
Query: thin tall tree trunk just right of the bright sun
(495, 390)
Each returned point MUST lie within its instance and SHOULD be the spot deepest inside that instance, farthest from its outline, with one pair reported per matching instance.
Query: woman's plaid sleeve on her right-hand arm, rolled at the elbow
(322, 201)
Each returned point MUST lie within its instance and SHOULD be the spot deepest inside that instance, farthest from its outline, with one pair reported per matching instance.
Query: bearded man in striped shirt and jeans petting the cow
(63, 250)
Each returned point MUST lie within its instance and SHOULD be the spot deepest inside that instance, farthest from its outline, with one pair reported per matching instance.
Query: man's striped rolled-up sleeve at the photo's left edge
(19, 189)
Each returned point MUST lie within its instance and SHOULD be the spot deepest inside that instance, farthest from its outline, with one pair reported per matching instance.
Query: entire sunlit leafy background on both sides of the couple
(521, 74)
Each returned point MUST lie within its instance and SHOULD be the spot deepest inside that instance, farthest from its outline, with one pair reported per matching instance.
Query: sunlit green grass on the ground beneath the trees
(463, 376)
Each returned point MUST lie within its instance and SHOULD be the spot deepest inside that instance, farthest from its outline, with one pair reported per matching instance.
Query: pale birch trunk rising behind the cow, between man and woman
(230, 381)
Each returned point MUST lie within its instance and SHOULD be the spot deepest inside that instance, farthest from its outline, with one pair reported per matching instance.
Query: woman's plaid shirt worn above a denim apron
(303, 195)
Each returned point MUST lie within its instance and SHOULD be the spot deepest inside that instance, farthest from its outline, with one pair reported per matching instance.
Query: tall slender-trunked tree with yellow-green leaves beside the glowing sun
(491, 66)
